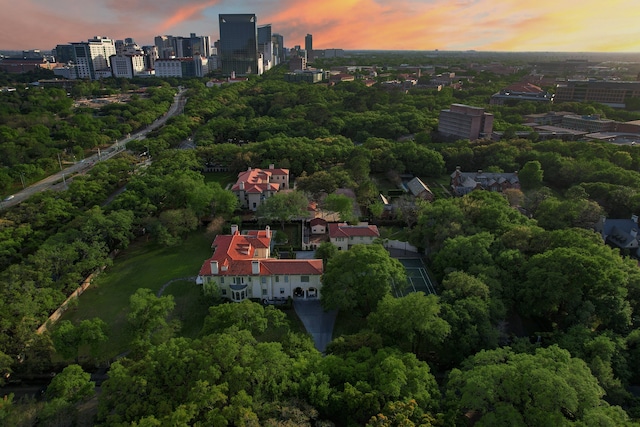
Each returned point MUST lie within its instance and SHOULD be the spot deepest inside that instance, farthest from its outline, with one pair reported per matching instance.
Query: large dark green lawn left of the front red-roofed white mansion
(144, 265)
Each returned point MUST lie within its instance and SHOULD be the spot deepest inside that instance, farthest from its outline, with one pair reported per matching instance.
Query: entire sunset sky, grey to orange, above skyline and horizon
(494, 25)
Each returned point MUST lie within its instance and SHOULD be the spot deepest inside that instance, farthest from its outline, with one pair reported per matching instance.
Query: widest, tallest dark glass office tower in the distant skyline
(239, 44)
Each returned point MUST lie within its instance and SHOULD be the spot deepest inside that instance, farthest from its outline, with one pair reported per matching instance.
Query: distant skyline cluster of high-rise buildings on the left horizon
(244, 48)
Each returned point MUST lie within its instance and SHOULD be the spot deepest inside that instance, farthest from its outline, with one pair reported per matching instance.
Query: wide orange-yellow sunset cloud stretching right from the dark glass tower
(445, 24)
